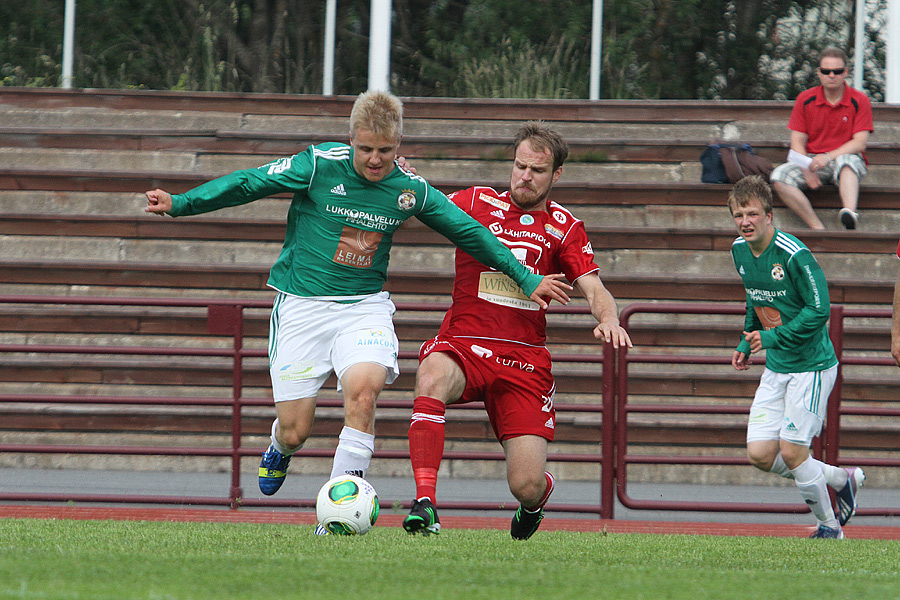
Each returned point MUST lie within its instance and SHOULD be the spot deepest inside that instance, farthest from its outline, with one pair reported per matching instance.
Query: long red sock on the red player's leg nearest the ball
(426, 444)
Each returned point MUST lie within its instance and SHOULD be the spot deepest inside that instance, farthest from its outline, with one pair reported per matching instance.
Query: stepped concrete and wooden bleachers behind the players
(73, 166)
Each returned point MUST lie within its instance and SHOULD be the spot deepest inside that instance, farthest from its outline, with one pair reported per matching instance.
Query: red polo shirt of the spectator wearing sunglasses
(830, 126)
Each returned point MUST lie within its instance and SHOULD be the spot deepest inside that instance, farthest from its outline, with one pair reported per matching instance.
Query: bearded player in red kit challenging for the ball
(491, 344)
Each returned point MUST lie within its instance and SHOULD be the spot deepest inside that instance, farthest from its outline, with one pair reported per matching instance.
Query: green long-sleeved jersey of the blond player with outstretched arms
(340, 226)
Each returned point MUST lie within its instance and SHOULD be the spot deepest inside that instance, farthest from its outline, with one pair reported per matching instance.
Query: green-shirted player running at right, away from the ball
(787, 312)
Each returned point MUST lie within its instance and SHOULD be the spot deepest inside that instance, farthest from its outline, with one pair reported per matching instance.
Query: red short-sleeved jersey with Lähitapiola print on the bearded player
(489, 305)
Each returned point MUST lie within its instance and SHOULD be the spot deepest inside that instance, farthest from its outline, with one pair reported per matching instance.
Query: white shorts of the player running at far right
(790, 406)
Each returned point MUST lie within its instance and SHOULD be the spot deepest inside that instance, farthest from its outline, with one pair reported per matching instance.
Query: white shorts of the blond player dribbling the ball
(309, 338)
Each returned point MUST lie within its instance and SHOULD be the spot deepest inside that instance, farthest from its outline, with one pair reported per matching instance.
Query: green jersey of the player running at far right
(787, 301)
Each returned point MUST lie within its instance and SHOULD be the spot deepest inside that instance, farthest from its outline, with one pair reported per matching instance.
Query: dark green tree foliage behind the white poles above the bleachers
(734, 49)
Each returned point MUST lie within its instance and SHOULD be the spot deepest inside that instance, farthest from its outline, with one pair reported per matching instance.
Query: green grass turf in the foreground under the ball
(152, 560)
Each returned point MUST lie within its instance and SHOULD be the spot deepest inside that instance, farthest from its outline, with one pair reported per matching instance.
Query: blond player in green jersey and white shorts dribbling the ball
(330, 313)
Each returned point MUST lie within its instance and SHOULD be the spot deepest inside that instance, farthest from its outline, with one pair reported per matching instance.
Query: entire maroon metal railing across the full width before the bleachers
(226, 319)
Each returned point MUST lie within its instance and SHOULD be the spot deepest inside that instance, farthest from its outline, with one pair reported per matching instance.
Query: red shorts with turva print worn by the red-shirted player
(514, 382)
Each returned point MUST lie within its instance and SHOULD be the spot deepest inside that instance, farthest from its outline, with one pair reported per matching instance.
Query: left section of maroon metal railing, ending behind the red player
(226, 318)
